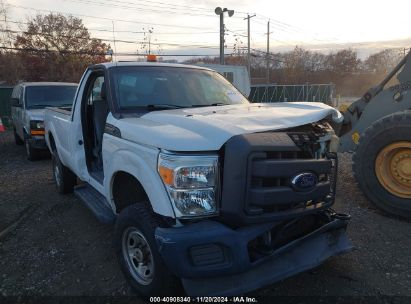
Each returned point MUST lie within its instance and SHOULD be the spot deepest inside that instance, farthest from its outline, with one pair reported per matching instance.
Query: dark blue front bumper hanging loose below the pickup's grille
(213, 259)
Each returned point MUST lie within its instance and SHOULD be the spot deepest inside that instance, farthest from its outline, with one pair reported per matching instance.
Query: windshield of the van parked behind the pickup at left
(49, 96)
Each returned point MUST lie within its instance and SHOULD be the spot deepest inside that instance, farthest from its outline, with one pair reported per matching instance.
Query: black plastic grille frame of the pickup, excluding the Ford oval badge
(250, 157)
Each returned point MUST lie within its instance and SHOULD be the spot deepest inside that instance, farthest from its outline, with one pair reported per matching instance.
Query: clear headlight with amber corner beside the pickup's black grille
(191, 182)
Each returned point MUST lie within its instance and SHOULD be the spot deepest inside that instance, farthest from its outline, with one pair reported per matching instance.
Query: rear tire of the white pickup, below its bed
(63, 177)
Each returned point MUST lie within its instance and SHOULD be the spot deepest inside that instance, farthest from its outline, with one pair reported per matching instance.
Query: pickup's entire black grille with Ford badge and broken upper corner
(281, 175)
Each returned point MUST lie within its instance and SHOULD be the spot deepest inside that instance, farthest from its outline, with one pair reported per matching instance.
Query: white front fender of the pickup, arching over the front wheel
(140, 161)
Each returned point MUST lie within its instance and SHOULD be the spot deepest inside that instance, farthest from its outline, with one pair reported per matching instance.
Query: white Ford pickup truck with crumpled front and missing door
(204, 188)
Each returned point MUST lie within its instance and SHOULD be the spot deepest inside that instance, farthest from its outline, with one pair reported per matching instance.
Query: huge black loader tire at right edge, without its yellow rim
(388, 130)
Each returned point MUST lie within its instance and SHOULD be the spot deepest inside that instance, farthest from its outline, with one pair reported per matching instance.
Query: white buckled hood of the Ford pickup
(208, 128)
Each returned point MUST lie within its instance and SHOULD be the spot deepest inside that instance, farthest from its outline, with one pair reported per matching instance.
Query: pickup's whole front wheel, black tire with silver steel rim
(138, 255)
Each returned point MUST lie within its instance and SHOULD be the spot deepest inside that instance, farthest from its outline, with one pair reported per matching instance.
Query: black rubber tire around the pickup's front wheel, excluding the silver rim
(140, 218)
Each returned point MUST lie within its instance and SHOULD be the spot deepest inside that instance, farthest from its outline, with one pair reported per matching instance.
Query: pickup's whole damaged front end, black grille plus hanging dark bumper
(275, 217)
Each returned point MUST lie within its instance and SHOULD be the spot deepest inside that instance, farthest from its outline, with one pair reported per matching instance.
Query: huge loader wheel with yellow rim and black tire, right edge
(382, 163)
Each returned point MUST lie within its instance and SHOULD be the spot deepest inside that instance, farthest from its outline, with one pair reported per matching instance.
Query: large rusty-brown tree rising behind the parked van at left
(58, 48)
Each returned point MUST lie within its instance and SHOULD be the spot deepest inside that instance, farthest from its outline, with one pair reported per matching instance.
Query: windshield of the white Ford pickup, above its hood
(171, 87)
